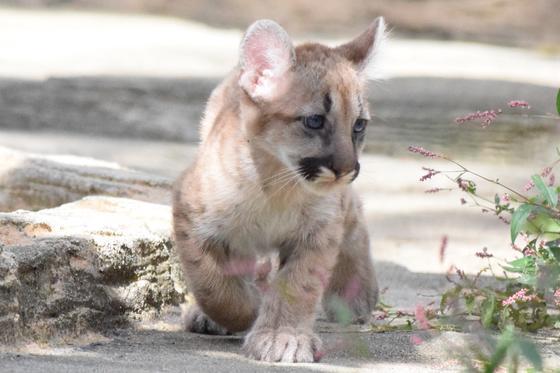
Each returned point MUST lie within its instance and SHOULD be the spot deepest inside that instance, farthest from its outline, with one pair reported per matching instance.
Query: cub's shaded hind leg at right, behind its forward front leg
(353, 280)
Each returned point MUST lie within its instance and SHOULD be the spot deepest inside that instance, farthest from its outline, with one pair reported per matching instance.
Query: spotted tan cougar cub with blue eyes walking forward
(281, 138)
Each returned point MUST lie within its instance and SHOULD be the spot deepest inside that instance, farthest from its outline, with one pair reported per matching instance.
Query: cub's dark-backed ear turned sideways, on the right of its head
(364, 50)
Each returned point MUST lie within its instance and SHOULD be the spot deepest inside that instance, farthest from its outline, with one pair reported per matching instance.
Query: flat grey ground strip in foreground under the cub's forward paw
(157, 351)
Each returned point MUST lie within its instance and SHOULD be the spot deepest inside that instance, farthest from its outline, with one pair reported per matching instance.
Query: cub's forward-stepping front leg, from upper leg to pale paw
(283, 330)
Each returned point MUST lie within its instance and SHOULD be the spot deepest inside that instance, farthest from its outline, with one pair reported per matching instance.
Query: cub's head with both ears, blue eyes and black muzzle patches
(306, 105)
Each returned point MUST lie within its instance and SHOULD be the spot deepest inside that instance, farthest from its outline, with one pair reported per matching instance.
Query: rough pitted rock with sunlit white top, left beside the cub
(89, 265)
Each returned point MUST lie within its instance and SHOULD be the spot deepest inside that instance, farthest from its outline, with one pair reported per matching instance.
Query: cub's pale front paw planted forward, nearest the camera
(287, 345)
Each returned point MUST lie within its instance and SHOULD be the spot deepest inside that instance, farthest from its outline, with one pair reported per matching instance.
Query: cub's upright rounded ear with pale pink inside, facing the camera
(266, 55)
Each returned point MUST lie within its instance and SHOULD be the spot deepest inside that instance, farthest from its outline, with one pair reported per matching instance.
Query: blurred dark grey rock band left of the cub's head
(127, 108)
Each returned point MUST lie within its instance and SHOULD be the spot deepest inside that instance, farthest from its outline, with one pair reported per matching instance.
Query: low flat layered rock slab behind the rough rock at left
(34, 182)
